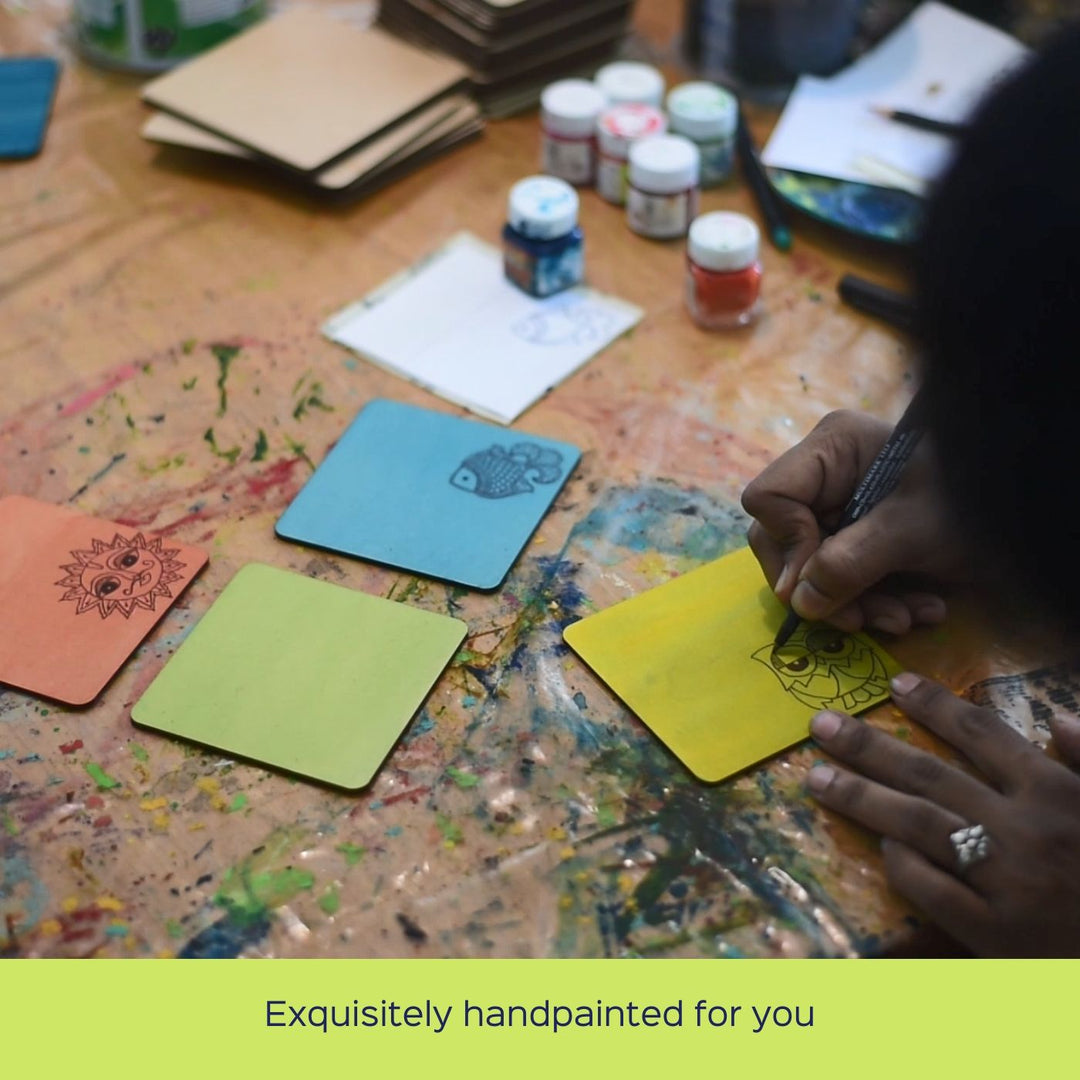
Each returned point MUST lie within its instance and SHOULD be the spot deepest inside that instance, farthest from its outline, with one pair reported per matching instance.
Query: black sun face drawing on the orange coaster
(121, 575)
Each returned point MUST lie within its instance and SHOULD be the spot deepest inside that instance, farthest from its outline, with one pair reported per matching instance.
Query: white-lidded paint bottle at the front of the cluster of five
(663, 192)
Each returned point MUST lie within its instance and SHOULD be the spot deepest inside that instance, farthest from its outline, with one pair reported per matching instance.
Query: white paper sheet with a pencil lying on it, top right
(938, 63)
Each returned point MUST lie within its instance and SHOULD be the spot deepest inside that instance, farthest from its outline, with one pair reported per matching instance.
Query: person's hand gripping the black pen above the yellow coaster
(840, 579)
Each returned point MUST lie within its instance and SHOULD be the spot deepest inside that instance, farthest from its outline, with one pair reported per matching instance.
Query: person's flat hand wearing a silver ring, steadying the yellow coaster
(1023, 899)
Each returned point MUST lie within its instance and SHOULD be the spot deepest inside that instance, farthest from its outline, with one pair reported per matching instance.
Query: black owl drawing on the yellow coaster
(827, 669)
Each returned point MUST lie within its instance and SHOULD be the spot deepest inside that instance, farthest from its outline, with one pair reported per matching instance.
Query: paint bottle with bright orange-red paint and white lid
(724, 275)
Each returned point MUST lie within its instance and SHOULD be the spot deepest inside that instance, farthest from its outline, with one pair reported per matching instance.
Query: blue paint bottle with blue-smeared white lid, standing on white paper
(543, 244)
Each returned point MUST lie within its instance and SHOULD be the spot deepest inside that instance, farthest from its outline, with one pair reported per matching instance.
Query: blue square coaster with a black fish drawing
(431, 494)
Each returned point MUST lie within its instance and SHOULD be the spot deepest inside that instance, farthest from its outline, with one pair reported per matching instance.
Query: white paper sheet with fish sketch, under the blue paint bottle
(456, 327)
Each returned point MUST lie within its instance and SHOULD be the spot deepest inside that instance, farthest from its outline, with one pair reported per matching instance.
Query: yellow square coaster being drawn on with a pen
(694, 660)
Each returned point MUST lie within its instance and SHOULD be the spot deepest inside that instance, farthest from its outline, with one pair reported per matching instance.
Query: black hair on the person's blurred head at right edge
(998, 292)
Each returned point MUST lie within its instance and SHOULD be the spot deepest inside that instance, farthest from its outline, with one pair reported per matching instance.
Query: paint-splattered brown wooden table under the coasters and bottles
(164, 368)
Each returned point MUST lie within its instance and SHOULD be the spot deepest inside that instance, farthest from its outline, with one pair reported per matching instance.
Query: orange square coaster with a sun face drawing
(77, 597)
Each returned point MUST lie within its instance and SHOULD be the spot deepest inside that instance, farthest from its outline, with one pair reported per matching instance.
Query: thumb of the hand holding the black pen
(849, 563)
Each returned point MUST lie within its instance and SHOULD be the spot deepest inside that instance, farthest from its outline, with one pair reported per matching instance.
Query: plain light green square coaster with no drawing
(302, 676)
